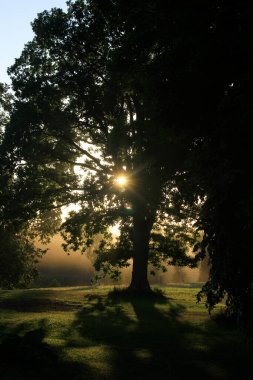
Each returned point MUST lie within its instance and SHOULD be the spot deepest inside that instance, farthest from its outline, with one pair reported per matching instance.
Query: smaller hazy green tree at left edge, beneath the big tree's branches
(19, 252)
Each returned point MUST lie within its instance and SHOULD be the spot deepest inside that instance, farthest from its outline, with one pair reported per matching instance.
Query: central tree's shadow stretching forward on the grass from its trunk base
(144, 343)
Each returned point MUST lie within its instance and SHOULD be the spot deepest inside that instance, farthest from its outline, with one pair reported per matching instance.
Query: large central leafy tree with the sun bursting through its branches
(114, 89)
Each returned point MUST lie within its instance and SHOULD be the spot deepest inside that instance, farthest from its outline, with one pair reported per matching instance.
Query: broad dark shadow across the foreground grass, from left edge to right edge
(130, 338)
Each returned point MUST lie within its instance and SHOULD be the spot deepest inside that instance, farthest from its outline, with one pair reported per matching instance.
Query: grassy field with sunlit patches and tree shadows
(81, 333)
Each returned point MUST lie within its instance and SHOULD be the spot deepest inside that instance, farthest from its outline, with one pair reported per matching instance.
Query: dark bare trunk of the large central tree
(141, 236)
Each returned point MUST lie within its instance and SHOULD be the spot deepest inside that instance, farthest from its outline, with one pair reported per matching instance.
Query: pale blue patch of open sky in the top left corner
(15, 29)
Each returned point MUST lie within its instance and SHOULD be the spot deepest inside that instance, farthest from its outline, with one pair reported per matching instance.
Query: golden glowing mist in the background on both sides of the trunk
(57, 268)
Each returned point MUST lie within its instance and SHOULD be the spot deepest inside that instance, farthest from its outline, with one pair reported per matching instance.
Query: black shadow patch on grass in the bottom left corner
(27, 357)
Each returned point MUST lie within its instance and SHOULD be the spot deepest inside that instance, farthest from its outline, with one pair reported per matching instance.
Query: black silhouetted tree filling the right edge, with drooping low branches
(222, 167)
